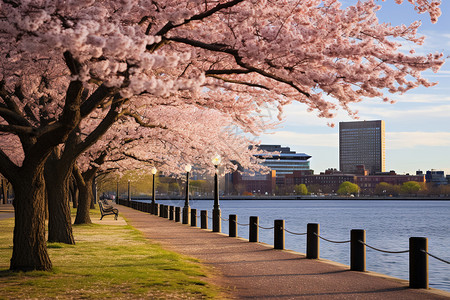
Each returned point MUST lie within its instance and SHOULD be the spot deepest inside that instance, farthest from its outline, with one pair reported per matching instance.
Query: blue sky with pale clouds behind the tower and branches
(417, 125)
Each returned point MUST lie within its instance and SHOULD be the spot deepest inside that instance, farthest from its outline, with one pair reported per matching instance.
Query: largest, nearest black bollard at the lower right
(418, 263)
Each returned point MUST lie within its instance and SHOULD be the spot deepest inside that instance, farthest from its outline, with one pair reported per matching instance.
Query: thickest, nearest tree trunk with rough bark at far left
(29, 245)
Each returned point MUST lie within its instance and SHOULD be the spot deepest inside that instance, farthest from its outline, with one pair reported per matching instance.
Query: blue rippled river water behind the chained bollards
(388, 224)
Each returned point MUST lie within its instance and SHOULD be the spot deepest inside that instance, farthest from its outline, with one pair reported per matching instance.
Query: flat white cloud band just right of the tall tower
(404, 140)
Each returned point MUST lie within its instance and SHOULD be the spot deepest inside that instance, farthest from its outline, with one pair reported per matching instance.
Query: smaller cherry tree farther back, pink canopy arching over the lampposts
(184, 135)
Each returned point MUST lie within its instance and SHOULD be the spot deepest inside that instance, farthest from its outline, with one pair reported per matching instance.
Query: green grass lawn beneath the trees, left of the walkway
(108, 261)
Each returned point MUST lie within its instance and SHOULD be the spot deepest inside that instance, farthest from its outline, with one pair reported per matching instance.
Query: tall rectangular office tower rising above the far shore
(362, 143)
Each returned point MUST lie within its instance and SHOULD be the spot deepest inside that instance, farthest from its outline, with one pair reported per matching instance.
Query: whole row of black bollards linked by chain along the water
(418, 246)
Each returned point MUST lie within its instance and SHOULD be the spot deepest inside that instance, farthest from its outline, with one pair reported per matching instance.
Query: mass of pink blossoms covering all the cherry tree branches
(211, 62)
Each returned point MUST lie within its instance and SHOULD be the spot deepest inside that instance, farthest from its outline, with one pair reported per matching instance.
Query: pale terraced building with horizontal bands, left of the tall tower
(286, 161)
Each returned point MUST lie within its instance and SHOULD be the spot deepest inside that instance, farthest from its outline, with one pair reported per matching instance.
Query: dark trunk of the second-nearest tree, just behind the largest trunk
(57, 184)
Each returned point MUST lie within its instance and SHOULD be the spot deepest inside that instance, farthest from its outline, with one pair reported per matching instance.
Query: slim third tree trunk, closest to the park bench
(85, 198)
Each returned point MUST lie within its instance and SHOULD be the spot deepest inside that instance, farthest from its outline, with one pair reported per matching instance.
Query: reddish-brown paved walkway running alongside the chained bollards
(255, 270)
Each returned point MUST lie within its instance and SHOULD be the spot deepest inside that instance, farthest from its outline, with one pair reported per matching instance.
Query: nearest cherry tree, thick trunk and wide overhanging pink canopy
(64, 61)
